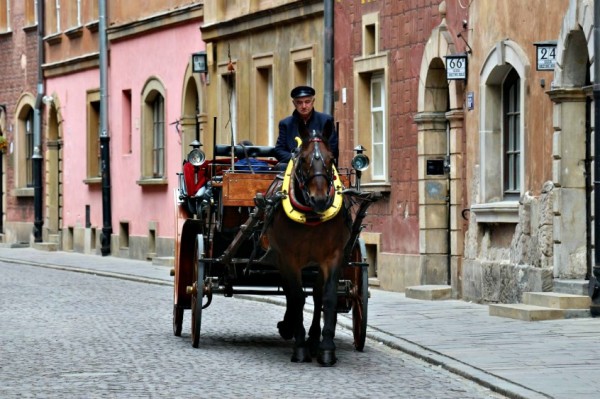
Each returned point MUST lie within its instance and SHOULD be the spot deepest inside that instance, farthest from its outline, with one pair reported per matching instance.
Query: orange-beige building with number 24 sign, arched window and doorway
(528, 154)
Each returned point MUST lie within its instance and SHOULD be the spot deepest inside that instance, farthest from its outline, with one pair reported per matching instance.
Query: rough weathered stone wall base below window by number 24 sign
(504, 260)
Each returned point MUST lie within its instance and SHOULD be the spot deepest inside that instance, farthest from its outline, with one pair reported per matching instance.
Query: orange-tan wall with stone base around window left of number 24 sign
(510, 251)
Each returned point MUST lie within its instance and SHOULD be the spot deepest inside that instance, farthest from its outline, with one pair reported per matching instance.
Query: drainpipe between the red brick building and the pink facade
(38, 220)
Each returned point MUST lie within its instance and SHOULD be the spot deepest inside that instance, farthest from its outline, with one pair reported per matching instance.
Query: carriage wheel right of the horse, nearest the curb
(360, 297)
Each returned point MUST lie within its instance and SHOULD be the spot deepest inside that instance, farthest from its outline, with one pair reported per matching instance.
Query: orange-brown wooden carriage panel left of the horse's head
(239, 189)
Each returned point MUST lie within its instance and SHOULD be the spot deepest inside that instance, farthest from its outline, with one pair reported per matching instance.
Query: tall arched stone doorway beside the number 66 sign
(440, 123)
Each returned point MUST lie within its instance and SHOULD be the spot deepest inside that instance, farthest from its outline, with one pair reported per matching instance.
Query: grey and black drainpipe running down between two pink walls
(104, 137)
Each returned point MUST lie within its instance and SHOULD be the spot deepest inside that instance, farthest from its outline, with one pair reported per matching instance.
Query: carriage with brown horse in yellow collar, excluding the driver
(265, 232)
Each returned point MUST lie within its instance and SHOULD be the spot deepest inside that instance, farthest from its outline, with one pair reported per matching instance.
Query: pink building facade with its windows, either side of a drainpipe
(151, 89)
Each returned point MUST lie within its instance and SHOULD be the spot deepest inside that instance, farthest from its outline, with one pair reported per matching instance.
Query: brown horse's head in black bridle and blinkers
(314, 167)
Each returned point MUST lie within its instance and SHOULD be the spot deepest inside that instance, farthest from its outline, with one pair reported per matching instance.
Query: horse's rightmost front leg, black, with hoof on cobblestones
(326, 355)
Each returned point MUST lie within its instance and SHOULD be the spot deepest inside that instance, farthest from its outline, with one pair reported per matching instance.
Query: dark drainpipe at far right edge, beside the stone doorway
(594, 283)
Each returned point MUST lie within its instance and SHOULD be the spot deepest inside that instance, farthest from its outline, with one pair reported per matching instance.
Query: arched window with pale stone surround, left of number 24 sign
(502, 133)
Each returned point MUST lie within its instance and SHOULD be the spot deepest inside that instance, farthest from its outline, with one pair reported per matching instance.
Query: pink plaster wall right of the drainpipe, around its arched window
(164, 56)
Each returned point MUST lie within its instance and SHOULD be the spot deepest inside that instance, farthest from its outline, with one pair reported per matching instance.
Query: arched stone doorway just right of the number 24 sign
(572, 148)
